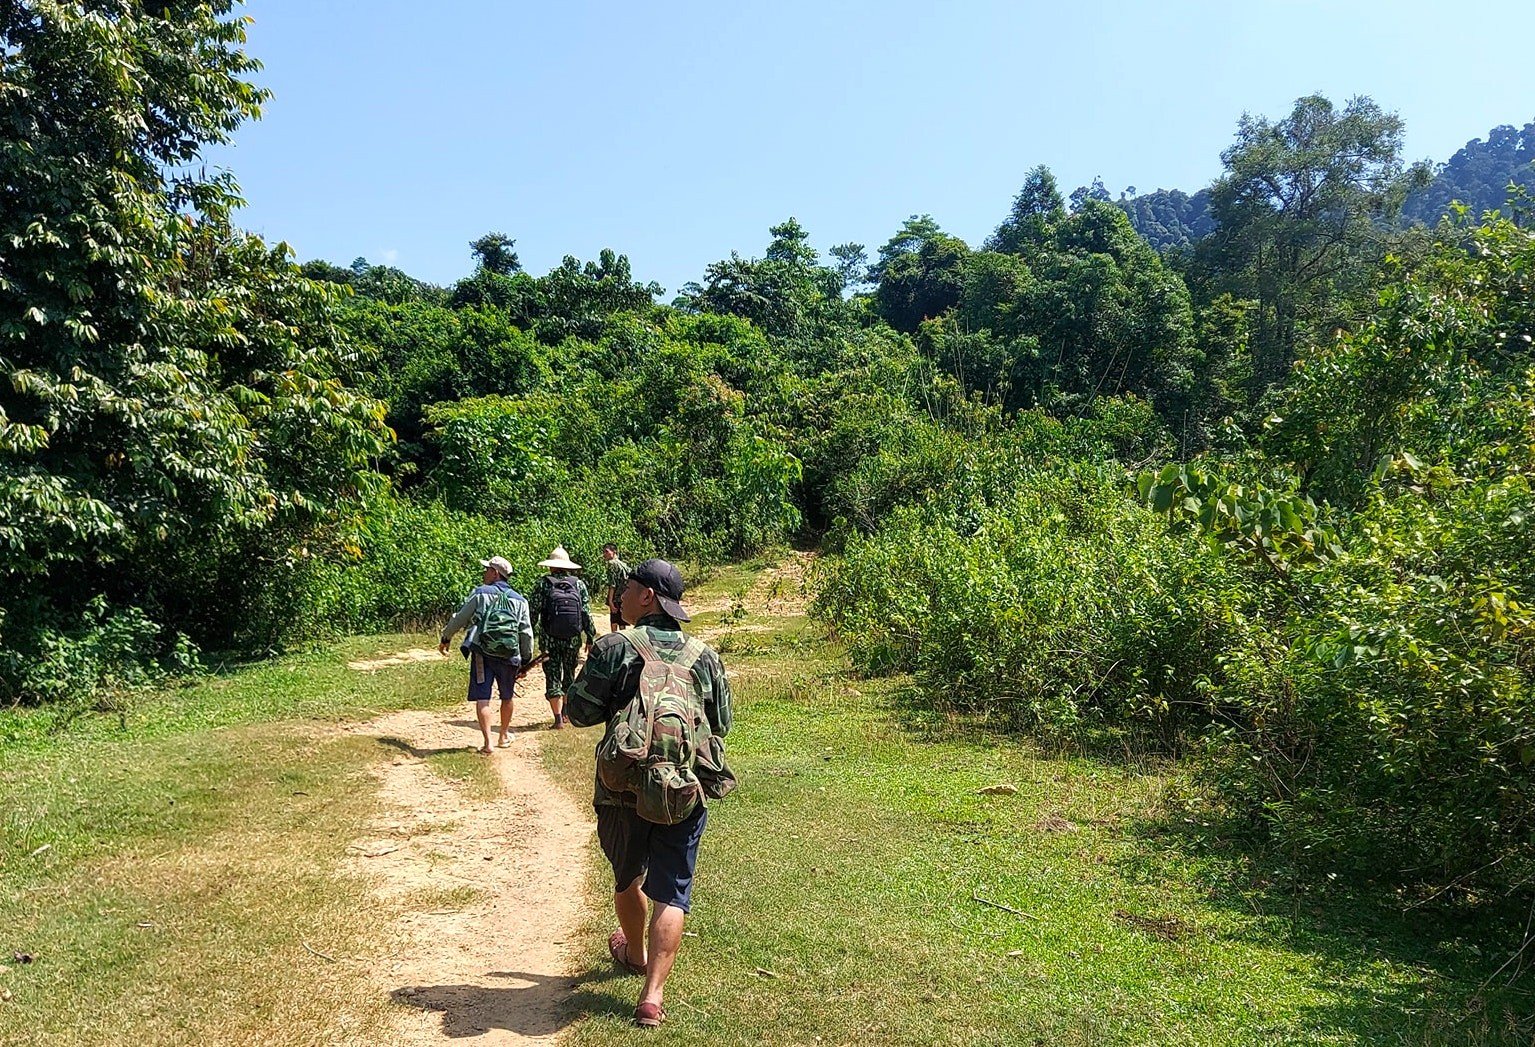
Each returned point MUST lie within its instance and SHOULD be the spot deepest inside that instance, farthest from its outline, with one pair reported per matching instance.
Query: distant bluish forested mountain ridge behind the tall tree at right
(1477, 176)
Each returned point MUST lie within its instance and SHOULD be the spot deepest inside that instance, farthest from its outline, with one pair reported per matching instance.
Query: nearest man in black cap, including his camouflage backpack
(667, 707)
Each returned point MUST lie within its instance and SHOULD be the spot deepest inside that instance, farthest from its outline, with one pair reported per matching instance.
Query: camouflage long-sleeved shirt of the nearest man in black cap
(612, 678)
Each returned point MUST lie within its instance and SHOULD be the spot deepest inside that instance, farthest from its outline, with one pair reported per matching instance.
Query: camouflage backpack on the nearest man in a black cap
(653, 745)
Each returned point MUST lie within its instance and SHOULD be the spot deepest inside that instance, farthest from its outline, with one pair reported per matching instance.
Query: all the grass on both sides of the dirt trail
(177, 882)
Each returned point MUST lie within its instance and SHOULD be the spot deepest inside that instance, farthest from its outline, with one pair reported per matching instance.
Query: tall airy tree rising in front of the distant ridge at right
(1301, 216)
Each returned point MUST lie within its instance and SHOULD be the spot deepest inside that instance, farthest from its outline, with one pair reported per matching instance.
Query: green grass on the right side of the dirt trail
(843, 897)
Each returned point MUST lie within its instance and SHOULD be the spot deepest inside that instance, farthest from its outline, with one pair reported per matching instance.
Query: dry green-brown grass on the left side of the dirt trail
(179, 882)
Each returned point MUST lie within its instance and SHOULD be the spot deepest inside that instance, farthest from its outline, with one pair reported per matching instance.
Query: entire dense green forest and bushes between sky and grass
(1261, 503)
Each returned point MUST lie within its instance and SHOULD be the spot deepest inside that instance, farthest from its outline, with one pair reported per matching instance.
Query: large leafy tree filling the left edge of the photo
(171, 383)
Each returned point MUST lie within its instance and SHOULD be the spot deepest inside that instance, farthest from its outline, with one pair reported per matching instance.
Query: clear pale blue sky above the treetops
(676, 133)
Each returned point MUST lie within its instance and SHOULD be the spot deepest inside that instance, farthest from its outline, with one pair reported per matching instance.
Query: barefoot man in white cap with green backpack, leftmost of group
(498, 642)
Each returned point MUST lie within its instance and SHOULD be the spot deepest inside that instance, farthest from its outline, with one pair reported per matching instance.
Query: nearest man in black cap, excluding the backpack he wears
(650, 860)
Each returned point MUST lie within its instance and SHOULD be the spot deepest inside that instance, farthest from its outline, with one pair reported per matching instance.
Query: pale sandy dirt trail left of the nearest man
(495, 968)
